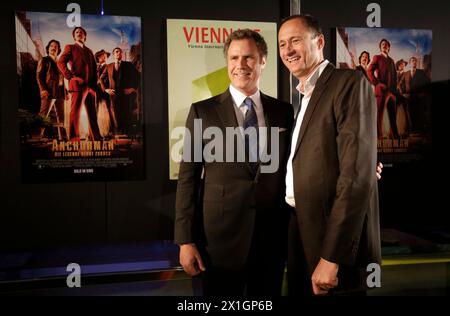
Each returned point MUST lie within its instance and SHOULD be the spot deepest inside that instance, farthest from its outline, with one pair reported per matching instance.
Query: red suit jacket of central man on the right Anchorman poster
(386, 73)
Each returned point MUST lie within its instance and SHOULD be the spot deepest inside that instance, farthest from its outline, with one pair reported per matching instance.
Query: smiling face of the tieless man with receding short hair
(300, 50)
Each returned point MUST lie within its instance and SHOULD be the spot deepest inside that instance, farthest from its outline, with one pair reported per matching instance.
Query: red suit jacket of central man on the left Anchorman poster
(83, 65)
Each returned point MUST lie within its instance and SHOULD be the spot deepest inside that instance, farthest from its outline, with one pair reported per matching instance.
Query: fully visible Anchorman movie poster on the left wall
(80, 114)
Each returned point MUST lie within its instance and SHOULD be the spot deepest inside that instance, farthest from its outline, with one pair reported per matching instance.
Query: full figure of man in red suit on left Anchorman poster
(77, 63)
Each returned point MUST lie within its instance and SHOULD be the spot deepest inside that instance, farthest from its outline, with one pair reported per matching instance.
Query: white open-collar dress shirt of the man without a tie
(308, 88)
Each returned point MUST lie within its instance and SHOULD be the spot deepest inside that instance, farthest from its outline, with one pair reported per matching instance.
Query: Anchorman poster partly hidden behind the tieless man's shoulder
(397, 62)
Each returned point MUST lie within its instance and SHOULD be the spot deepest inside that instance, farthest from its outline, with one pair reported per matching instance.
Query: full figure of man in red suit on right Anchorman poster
(383, 75)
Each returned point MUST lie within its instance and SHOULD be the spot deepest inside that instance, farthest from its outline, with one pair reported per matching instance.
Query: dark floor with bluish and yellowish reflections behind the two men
(411, 266)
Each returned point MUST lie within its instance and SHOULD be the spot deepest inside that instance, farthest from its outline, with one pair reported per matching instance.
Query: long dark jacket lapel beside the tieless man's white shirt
(320, 87)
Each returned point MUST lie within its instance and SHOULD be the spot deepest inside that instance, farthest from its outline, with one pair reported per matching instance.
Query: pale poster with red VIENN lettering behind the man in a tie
(197, 67)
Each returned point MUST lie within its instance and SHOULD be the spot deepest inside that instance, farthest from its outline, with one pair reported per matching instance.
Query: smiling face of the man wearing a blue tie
(245, 65)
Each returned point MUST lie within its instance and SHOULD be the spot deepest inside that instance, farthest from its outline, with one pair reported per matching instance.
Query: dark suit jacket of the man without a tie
(335, 187)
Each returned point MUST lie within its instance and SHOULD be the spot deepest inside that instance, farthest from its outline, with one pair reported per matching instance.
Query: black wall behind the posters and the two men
(36, 216)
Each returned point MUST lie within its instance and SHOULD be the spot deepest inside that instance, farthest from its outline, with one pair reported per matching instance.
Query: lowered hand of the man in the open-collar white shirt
(324, 277)
